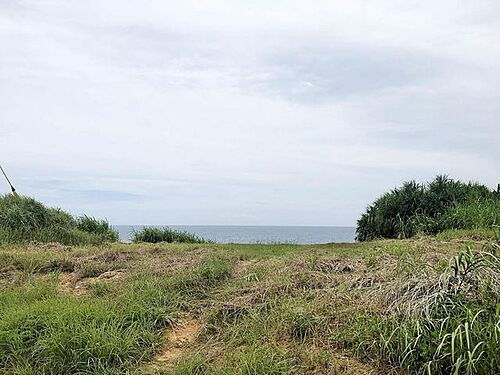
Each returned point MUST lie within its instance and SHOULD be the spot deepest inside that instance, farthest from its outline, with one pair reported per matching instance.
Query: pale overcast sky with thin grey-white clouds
(244, 112)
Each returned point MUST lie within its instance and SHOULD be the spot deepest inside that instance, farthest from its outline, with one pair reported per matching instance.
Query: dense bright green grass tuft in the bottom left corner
(64, 335)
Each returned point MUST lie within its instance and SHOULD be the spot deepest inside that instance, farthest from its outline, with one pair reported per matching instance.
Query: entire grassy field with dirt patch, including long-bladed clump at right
(365, 308)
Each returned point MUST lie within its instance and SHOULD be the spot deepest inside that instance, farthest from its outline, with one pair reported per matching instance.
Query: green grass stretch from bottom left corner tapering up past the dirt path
(43, 331)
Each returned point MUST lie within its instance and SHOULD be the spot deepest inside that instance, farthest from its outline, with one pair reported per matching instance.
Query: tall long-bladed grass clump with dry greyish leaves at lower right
(448, 326)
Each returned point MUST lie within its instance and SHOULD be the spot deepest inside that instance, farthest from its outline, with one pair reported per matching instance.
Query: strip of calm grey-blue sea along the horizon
(257, 234)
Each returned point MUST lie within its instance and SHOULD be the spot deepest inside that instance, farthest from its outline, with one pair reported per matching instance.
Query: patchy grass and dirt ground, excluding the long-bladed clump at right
(226, 309)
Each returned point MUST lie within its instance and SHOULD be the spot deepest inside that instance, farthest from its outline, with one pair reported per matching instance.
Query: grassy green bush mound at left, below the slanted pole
(24, 219)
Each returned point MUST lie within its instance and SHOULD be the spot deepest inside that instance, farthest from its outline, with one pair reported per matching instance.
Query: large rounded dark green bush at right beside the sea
(430, 208)
